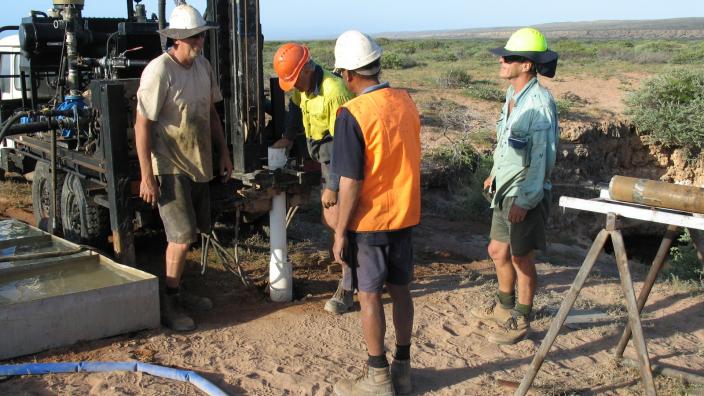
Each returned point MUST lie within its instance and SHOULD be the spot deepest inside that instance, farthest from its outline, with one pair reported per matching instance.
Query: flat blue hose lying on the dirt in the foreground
(98, 367)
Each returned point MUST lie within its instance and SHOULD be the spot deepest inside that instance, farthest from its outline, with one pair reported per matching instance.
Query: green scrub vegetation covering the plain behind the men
(669, 108)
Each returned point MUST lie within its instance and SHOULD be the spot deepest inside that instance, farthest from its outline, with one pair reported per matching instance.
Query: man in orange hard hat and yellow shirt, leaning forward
(317, 95)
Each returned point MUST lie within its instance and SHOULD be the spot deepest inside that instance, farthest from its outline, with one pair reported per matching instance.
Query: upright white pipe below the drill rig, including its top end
(280, 271)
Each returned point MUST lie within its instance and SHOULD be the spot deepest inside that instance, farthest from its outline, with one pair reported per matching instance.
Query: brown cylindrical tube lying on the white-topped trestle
(657, 194)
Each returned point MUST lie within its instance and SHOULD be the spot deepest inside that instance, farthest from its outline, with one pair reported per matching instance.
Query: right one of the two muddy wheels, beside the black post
(83, 220)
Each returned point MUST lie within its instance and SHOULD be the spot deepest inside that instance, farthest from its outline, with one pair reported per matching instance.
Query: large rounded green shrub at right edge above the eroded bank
(669, 109)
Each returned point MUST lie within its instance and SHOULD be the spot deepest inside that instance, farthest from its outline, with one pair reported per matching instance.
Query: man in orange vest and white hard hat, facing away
(376, 153)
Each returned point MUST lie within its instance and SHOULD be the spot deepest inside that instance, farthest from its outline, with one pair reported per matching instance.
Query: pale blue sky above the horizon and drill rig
(311, 19)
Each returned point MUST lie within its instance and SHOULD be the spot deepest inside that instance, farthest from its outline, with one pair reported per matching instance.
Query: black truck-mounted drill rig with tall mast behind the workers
(73, 124)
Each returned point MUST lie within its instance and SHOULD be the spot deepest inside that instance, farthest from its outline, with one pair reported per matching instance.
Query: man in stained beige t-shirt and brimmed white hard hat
(174, 131)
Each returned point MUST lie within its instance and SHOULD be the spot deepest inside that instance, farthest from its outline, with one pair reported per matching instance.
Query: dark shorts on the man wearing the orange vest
(379, 259)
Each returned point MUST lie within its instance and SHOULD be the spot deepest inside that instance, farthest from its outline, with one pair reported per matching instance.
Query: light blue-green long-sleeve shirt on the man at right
(526, 146)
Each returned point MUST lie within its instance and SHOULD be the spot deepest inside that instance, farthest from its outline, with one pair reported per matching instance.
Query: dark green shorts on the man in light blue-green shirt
(525, 236)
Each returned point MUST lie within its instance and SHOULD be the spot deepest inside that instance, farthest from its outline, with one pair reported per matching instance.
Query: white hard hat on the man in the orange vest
(354, 50)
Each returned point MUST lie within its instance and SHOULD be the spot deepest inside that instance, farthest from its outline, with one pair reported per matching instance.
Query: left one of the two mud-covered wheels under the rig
(41, 195)
